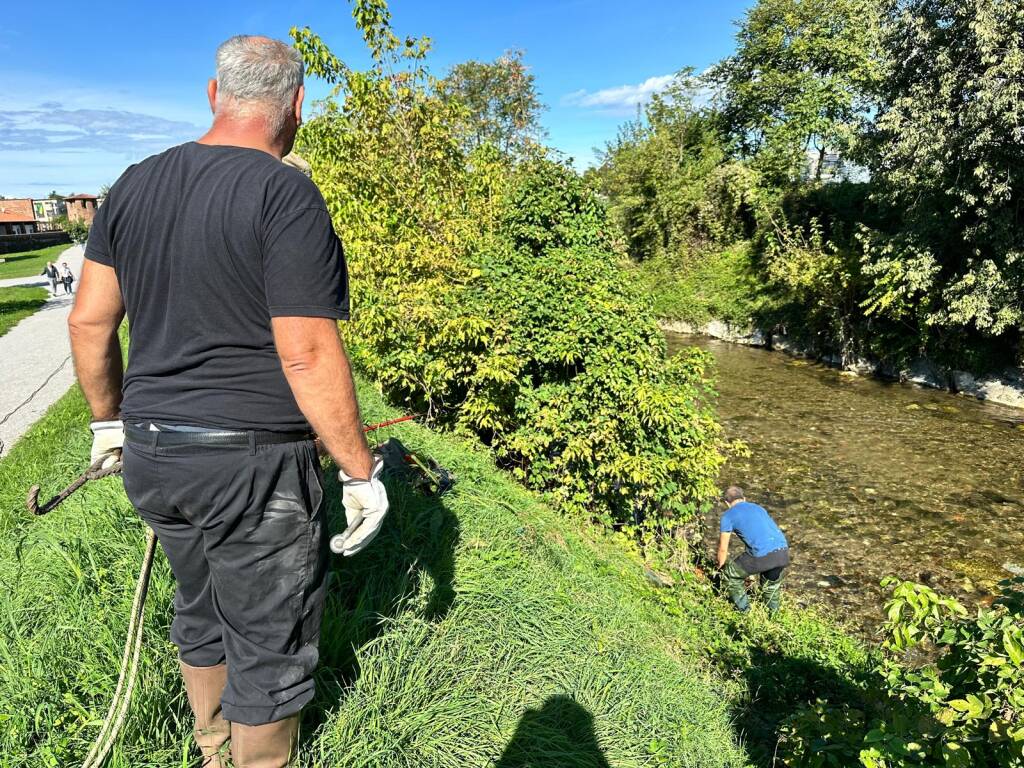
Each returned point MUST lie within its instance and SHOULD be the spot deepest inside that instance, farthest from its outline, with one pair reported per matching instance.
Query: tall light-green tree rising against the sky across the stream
(800, 81)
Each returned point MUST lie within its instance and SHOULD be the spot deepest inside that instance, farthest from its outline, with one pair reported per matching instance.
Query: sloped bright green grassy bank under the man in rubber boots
(481, 630)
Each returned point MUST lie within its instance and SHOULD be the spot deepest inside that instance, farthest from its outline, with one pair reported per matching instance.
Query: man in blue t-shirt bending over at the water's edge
(767, 551)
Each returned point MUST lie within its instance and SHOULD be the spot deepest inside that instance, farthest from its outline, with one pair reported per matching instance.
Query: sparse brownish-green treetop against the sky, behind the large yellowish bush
(501, 102)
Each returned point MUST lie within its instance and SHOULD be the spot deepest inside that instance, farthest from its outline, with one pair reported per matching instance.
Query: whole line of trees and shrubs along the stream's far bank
(852, 174)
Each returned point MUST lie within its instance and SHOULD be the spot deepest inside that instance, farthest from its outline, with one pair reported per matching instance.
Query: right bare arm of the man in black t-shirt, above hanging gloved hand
(318, 371)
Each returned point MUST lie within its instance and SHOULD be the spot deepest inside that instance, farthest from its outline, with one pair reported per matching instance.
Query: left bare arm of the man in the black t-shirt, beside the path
(94, 329)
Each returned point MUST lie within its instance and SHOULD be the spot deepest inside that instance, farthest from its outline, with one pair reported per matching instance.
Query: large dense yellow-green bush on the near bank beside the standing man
(488, 294)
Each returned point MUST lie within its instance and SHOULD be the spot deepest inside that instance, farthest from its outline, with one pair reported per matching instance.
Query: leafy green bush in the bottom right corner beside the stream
(964, 709)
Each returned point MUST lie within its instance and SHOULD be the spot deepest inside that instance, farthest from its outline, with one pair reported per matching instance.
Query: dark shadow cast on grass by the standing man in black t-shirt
(382, 583)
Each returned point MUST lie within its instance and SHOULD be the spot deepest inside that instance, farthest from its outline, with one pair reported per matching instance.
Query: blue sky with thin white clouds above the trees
(92, 88)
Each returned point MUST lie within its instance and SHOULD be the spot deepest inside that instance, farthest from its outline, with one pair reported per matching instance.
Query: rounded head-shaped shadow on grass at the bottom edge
(561, 735)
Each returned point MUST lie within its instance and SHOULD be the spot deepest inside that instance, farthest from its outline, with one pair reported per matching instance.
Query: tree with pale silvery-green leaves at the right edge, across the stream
(948, 164)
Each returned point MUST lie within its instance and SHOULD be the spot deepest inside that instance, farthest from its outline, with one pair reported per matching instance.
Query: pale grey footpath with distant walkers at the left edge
(35, 358)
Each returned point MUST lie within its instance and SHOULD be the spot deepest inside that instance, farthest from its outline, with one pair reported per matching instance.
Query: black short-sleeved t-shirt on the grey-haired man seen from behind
(209, 243)
